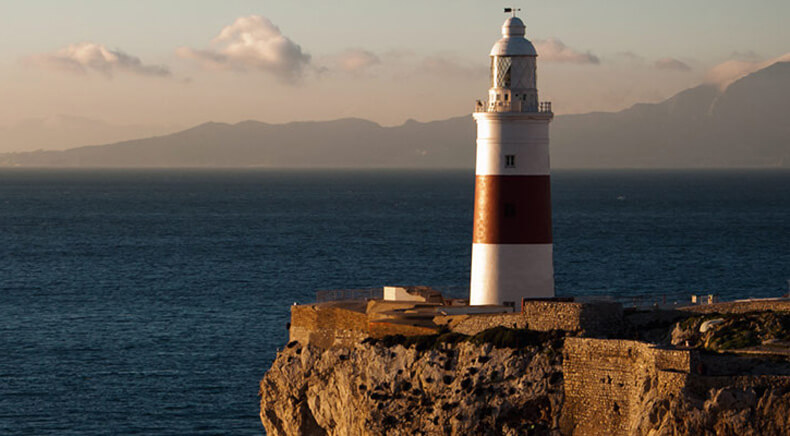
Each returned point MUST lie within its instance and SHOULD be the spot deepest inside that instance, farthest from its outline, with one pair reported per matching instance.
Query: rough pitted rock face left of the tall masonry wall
(452, 388)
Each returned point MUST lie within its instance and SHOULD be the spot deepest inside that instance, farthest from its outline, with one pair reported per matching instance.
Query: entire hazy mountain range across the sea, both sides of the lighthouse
(745, 125)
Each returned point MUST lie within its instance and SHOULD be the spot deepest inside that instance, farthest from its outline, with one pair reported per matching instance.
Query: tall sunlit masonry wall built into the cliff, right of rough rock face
(605, 381)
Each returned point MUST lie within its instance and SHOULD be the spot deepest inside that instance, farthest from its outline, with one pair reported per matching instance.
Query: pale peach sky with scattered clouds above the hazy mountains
(148, 67)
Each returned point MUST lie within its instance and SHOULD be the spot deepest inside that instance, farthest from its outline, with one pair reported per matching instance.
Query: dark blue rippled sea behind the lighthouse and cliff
(152, 302)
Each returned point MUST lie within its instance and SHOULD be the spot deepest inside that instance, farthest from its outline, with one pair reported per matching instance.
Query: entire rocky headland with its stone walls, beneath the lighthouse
(679, 372)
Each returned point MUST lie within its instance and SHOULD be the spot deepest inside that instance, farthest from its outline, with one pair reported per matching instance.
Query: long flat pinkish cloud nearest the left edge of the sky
(88, 56)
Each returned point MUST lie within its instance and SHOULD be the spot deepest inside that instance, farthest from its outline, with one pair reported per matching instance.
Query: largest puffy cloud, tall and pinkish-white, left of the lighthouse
(252, 43)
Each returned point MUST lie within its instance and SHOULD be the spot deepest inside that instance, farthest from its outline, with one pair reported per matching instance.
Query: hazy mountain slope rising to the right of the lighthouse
(746, 125)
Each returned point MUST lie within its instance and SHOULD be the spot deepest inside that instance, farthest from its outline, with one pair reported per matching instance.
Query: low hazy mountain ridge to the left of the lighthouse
(339, 143)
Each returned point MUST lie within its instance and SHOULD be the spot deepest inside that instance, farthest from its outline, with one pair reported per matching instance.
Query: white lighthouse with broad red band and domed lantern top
(512, 242)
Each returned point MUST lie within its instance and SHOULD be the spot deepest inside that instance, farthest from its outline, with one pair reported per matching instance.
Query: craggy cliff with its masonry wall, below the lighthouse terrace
(515, 381)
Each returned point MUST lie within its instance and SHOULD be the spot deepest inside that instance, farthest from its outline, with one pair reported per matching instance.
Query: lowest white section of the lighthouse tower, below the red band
(509, 272)
